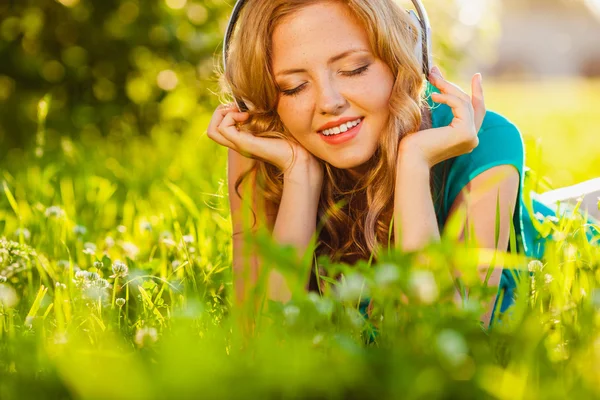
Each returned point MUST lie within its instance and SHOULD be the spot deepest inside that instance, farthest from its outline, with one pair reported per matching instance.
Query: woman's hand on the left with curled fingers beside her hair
(279, 152)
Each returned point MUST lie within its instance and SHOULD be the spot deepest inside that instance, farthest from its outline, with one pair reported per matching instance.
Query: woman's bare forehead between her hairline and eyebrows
(316, 32)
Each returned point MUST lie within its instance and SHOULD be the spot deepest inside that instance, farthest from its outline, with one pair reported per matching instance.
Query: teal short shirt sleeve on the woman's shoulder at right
(500, 143)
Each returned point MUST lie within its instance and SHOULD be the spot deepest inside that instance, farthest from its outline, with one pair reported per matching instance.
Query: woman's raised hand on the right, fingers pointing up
(460, 137)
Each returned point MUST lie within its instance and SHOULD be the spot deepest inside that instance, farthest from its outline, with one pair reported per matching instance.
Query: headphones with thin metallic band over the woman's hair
(422, 48)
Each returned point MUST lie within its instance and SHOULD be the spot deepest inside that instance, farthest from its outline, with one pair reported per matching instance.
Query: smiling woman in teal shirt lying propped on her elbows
(339, 110)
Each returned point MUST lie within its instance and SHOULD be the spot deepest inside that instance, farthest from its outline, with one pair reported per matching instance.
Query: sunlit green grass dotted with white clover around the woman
(74, 325)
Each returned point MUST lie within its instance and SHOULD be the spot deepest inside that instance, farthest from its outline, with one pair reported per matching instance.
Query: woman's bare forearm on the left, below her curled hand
(296, 218)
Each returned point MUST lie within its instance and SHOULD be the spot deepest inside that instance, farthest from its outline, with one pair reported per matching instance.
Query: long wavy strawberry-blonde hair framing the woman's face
(353, 230)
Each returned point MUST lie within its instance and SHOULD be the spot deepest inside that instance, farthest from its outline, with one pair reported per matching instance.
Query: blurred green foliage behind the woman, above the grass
(121, 68)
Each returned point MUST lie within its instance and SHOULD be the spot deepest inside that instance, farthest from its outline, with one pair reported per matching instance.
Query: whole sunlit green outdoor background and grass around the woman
(115, 233)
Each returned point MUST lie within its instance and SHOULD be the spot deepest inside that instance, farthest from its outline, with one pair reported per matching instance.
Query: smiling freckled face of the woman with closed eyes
(326, 71)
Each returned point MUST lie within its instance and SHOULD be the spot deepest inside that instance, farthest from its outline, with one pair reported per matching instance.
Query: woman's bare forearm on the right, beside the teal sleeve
(415, 222)
